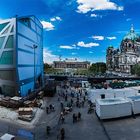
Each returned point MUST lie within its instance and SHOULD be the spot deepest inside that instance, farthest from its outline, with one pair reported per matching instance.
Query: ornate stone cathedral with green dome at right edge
(122, 60)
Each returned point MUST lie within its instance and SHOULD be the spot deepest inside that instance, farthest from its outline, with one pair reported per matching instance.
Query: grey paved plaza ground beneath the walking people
(89, 127)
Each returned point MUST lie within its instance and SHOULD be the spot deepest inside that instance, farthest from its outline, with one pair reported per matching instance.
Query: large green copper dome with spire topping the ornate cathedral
(131, 35)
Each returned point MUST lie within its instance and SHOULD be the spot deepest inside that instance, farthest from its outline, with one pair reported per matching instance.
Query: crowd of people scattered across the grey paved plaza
(70, 99)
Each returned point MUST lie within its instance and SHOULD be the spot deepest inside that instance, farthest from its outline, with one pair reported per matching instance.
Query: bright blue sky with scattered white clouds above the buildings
(81, 29)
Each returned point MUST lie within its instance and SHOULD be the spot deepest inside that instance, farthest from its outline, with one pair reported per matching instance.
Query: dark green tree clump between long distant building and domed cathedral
(99, 67)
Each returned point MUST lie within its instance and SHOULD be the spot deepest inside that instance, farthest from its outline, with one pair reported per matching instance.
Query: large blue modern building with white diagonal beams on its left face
(21, 55)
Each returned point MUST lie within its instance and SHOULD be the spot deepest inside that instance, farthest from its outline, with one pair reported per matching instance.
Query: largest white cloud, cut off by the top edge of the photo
(85, 6)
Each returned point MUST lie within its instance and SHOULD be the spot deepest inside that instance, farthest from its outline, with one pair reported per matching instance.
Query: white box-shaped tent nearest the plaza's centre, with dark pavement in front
(113, 108)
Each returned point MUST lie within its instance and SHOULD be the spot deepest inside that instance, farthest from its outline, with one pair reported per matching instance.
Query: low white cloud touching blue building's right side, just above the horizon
(48, 57)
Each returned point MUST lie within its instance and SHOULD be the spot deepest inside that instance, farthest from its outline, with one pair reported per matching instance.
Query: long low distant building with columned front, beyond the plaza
(71, 64)
